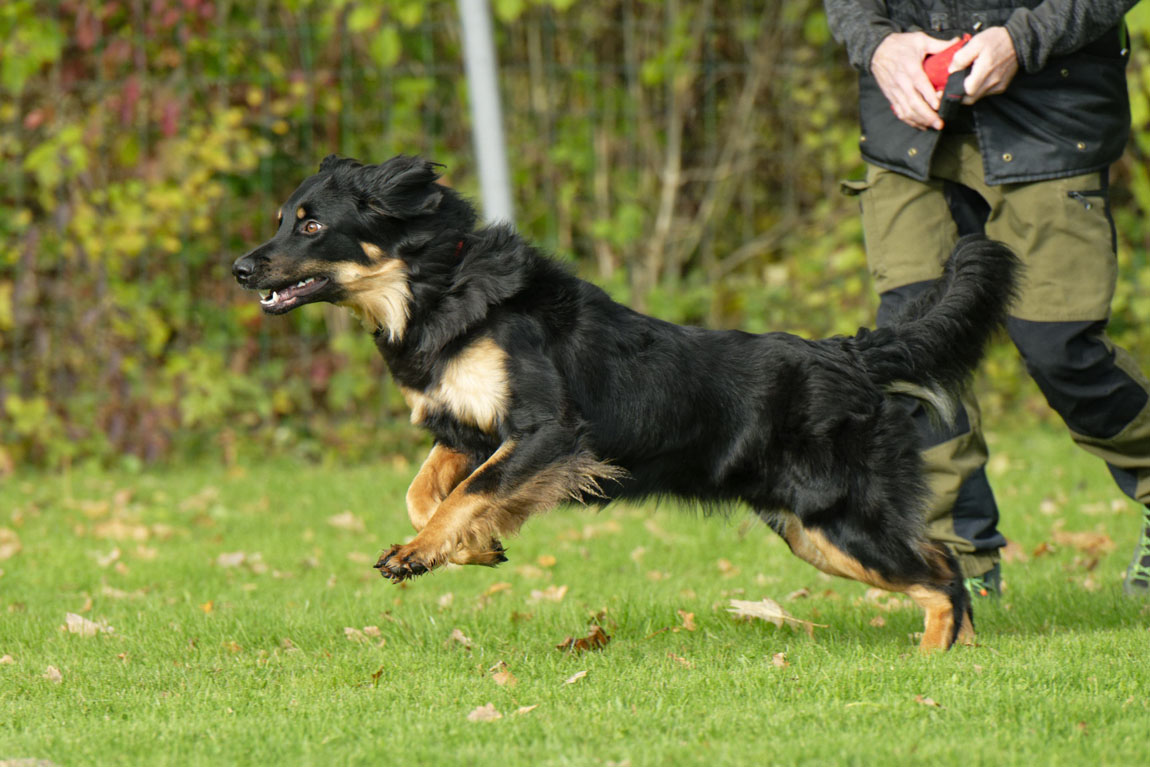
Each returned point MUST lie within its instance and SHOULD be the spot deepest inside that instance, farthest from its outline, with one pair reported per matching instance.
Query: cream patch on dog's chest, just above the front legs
(473, 388)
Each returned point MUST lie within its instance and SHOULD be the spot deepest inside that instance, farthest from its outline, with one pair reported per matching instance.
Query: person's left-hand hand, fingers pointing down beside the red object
(898, 66)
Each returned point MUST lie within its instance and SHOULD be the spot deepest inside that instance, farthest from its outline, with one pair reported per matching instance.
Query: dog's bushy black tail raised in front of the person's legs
(938, 340)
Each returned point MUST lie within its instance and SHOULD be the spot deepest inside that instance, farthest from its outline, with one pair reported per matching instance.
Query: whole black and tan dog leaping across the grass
(540, 389)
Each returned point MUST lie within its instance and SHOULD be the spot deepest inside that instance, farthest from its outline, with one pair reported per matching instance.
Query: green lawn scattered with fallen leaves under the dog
(243, 665)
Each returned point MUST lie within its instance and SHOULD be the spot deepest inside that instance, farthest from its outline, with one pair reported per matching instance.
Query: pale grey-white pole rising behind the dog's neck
(487, 113)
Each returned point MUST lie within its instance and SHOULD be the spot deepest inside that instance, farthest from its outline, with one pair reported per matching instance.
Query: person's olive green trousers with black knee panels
(1063, 233)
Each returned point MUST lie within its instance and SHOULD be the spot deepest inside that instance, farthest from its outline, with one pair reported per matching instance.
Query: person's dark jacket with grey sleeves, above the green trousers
(1065, 113)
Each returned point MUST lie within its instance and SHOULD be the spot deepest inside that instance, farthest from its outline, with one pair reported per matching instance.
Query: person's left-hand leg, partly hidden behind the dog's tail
(910, 232)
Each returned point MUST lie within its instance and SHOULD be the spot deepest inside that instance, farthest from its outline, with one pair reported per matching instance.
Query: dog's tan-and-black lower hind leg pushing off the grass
(927, 573)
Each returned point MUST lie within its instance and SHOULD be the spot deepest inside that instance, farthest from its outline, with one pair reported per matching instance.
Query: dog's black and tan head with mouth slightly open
(348, 234)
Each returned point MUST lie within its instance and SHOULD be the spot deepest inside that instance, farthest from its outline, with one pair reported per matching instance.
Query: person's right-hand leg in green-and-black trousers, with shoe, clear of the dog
(1063, 233)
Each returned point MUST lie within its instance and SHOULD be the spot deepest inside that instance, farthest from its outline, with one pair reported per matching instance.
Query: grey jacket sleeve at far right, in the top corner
(1061, 27)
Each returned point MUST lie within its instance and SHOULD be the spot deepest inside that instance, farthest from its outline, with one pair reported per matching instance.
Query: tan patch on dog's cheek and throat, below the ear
(379, 295)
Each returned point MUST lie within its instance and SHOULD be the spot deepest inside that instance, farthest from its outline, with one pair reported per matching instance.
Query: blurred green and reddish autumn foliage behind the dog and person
(687, 156)
